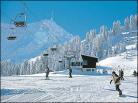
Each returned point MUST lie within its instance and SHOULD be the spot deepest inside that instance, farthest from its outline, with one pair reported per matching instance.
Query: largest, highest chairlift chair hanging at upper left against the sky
(20, 20)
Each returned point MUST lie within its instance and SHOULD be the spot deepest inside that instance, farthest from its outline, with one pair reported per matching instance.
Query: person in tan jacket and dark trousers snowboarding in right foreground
(117, 83)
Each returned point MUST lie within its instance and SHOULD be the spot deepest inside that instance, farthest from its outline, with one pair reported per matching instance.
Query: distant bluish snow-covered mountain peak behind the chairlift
(31, 40)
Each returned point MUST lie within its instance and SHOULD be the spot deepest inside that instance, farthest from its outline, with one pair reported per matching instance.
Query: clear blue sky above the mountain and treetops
(76, 17)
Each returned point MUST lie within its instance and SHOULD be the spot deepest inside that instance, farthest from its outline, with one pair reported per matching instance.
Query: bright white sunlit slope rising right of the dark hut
(126, 61)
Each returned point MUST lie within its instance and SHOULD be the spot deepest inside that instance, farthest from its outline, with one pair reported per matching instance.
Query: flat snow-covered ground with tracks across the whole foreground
(60, 88)
